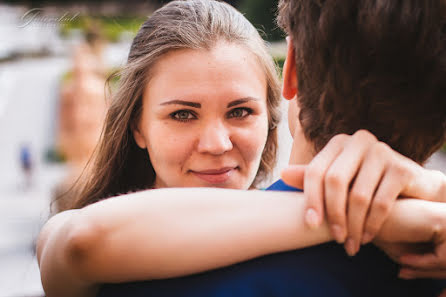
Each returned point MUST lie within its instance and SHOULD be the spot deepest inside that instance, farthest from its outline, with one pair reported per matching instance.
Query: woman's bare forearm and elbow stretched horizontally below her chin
(167, 233)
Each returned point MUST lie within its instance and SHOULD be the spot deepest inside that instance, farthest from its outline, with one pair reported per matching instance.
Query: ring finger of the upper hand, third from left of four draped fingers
(360, 198)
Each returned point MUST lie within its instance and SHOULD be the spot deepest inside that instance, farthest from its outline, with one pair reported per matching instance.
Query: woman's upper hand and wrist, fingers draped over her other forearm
(355, 180)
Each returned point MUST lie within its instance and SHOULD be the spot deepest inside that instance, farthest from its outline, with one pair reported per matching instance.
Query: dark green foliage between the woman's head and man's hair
(262, 14)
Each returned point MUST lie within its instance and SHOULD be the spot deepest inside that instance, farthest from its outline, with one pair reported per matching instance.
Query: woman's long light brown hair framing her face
(119, 165)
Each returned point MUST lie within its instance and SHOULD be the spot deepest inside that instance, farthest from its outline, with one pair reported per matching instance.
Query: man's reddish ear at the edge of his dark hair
(289, 72)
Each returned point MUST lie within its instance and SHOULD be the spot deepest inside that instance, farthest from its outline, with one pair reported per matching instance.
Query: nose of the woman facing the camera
(214, 139)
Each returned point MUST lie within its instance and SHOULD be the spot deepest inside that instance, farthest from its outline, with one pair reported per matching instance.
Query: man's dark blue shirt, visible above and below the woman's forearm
(323, 270)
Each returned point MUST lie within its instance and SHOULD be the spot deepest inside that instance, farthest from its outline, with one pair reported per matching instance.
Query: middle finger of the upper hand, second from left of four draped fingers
(338, 179)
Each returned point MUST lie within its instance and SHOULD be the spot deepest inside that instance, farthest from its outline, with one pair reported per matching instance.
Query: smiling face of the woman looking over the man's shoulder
(204, 119)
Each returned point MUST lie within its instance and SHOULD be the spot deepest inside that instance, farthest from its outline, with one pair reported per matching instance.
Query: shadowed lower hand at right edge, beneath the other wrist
(414, 235)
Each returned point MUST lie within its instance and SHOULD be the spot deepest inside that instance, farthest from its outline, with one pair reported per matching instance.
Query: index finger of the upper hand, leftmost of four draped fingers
(314, 176)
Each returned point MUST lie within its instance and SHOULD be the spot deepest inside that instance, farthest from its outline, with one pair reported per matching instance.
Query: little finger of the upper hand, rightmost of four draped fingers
(388, 190)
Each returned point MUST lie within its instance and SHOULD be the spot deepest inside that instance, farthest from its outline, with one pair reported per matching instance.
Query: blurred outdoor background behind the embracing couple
(54, 59)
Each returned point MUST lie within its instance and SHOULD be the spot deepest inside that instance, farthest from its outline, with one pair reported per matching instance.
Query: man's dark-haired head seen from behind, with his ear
(368, 64)
